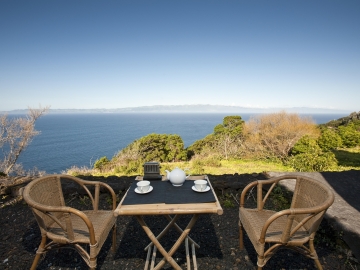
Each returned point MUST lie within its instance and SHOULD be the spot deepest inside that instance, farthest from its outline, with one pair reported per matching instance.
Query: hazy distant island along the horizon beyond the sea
(199, 108)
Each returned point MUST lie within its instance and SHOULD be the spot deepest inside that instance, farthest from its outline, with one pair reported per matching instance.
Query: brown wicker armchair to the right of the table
(290, 228)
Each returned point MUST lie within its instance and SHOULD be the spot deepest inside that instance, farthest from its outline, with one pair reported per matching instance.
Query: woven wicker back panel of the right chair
(311, 193)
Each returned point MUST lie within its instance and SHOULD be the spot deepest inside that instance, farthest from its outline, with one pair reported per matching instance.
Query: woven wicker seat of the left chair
(102, 221)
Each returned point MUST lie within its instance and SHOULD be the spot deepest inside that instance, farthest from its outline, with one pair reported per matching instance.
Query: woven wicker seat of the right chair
(253, 221)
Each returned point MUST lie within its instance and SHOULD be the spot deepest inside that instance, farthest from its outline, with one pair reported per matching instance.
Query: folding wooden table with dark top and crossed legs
(168, 200)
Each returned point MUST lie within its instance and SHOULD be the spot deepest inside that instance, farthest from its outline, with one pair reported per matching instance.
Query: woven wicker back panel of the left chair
(44, 192)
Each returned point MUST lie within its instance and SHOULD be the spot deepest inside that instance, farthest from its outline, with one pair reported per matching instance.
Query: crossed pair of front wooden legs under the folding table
(167, 256)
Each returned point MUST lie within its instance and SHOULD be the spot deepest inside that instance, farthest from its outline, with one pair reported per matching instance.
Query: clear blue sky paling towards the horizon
(117, 54)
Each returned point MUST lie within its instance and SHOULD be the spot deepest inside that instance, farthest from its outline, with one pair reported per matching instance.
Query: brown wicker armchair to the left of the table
(66, 226)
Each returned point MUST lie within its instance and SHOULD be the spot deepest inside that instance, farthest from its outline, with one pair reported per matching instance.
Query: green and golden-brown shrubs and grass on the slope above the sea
(272, 142)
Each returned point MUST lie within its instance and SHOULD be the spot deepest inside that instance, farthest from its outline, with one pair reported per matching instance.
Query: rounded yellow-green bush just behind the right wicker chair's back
(308, 156)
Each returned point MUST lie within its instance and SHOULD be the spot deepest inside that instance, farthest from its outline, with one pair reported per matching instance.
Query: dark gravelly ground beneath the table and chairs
(216, 235)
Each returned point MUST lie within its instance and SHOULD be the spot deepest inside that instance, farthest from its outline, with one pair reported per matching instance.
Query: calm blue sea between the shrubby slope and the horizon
(80, 139)
